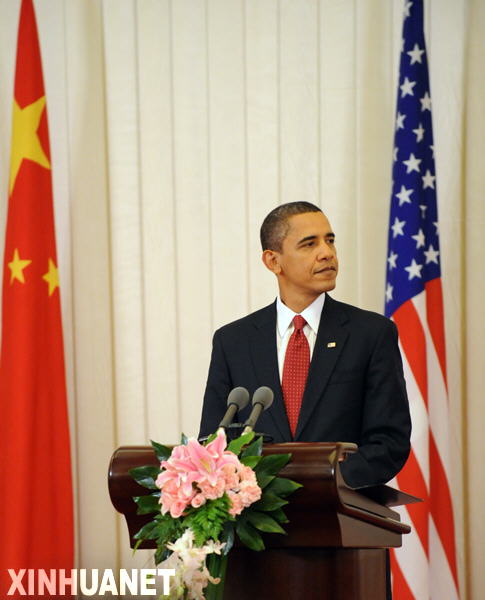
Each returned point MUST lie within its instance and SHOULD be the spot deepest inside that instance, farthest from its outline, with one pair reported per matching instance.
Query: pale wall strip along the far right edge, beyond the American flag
(473, 294)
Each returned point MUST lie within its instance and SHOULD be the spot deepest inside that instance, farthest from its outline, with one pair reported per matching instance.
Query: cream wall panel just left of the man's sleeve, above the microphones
(192, 200)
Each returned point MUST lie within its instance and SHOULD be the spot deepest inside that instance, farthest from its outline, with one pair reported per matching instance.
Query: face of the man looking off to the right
(307, 264)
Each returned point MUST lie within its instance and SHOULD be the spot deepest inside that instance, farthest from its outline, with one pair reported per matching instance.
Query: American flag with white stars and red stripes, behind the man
(425, 567)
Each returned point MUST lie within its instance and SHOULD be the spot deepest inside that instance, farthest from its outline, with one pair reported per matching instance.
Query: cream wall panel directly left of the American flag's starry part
(374, 142)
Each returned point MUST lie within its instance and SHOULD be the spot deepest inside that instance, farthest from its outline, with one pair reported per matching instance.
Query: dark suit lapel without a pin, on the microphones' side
(265, 361)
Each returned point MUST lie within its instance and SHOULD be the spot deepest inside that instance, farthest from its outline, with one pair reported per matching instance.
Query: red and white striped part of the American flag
(425, 567)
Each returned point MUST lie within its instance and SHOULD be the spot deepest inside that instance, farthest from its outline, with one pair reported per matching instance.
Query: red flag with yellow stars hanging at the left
(36, 505)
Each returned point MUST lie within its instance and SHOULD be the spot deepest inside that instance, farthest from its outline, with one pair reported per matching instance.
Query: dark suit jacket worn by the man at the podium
(355, 390)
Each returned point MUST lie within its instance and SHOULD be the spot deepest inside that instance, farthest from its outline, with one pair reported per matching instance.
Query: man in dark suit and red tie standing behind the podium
(355, 389)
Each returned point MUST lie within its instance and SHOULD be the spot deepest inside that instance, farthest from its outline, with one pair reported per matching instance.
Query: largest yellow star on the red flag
(25, 141)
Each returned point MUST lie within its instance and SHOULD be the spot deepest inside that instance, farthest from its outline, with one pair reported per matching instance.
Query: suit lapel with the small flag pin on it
(331, 338)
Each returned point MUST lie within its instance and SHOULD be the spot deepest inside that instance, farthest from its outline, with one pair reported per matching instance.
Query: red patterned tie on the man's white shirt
(295, 371)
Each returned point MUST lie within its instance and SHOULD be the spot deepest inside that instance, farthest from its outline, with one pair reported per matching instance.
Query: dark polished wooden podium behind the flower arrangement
(337, 536)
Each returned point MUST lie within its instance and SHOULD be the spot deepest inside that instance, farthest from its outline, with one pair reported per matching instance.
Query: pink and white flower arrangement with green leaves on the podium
(203, 496)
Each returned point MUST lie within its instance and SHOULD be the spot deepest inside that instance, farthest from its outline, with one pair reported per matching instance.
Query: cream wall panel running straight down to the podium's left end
(120, 47)
